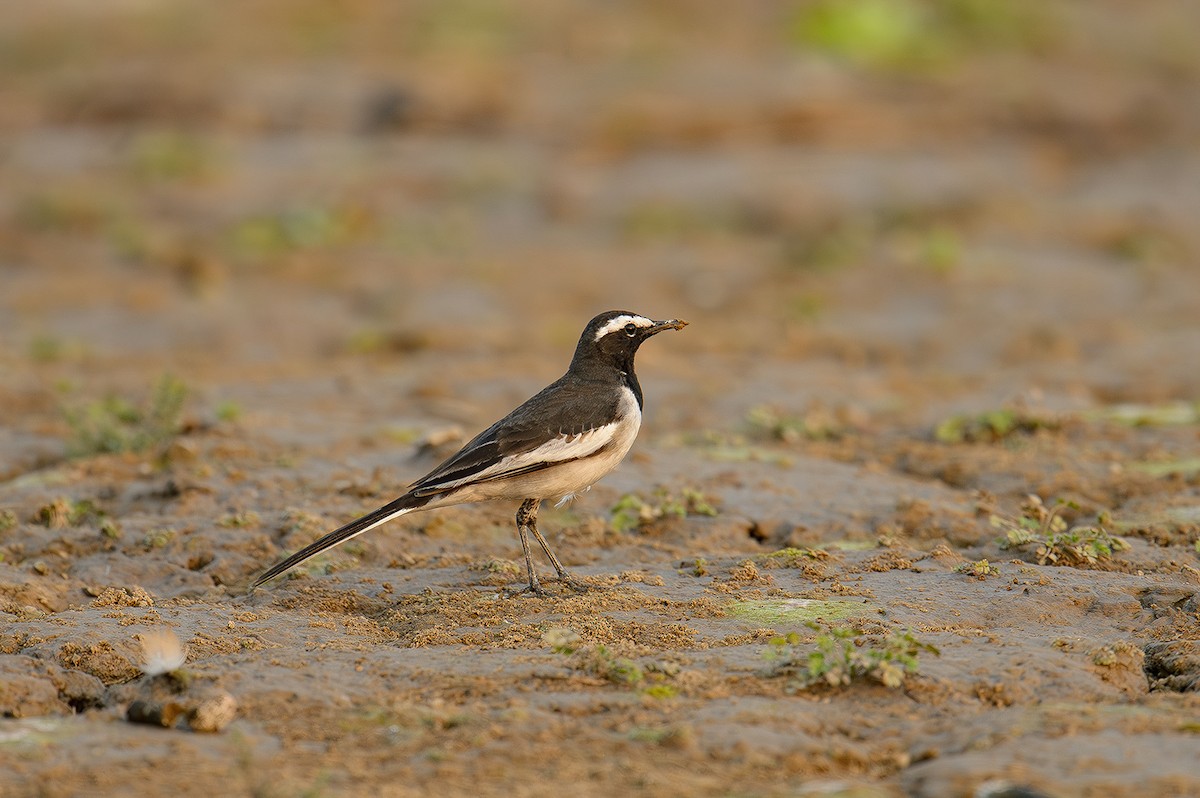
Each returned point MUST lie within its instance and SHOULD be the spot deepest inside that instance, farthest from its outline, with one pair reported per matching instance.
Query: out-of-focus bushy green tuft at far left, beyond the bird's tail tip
(116, 425)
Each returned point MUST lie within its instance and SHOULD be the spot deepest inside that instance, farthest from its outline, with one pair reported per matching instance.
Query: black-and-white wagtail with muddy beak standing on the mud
(555, 446)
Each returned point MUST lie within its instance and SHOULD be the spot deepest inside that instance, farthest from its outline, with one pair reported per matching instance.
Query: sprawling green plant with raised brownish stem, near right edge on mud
(1057, 543)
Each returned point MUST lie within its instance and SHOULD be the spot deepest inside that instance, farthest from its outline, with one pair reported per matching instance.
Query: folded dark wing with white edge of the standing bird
(565, 422)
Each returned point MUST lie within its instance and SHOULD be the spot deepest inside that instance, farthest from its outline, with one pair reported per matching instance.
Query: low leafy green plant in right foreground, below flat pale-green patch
(844, 656)
